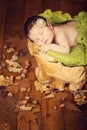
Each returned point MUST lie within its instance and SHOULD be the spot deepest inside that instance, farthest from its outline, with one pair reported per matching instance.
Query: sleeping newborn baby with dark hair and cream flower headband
(59, 38)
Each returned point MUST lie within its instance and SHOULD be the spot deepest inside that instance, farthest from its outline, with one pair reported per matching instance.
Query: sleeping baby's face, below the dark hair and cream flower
(41, 35)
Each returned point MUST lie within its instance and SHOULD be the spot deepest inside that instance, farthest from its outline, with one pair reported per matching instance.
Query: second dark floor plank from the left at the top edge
(14, 31)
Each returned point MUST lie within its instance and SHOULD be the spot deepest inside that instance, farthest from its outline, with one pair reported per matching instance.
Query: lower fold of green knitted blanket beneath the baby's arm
(76, 57)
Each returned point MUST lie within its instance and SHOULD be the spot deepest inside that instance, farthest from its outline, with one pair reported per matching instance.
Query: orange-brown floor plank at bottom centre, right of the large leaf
(51, 117)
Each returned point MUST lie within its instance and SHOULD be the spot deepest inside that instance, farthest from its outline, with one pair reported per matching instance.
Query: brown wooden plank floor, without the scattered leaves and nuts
(13, 14)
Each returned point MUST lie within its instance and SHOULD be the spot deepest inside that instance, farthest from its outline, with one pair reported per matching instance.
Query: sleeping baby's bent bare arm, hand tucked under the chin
(62, 43)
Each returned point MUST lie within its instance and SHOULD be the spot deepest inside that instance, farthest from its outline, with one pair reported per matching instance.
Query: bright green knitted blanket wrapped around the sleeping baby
(78, 54)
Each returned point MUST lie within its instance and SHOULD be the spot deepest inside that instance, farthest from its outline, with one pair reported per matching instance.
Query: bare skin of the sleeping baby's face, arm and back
(64, 37)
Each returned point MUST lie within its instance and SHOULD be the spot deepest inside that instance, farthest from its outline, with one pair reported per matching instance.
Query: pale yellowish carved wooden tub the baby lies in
(58, 75)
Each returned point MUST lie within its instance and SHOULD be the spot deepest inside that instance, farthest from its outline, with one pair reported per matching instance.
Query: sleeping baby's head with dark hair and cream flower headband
(38, 30)
